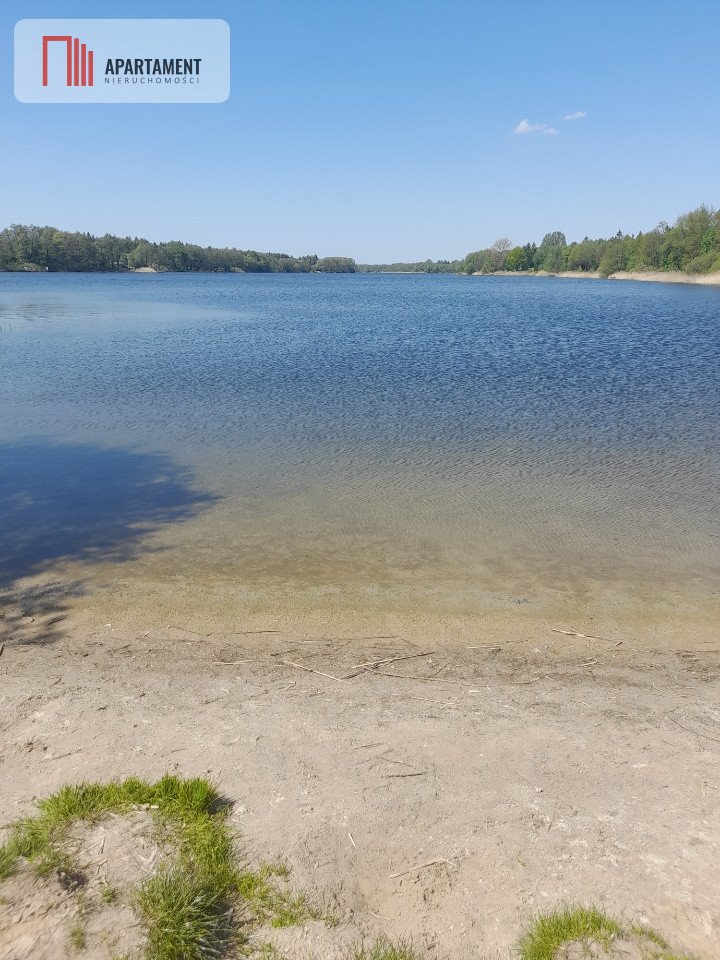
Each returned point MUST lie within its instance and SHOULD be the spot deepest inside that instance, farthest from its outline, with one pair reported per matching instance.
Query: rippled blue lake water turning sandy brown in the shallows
(377, 450)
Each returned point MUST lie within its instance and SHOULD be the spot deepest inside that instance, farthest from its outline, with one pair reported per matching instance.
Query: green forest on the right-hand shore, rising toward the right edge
(691, 245)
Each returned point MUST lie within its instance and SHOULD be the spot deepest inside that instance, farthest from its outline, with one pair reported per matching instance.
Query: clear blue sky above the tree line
(384, 130)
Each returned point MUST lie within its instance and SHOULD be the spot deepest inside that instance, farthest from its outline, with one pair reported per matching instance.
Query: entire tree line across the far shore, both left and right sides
(691, 245)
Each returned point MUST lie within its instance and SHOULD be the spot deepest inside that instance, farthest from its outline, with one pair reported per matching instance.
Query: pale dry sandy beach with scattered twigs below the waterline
(446, 797)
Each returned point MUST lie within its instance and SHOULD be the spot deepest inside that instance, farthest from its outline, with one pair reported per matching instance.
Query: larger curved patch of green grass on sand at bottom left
(188, 905)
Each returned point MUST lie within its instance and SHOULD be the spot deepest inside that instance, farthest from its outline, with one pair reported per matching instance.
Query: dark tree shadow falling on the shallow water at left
(77, 502)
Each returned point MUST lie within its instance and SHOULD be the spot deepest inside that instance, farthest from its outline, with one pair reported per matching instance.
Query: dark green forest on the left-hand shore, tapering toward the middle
(32, 248)
